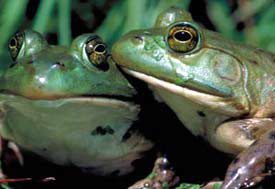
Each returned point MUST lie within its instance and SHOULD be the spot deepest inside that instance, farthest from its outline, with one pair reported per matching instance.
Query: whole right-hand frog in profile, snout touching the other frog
(219, 89)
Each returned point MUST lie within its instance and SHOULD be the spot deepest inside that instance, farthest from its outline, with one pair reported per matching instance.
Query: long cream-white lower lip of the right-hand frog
(209, 100)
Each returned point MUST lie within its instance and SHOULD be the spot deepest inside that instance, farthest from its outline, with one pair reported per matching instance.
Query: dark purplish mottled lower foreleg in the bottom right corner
(253, 164)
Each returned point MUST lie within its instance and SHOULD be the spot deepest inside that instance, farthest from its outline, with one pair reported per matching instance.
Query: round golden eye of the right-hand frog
(182, 37)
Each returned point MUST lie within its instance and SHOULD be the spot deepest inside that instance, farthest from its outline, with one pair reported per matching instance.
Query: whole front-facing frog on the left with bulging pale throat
(57, 103)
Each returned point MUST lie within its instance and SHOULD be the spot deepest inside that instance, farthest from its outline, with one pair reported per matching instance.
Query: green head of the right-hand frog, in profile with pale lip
(185, 59)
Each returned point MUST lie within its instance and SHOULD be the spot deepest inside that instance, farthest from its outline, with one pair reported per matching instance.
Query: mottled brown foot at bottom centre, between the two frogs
(162, 177)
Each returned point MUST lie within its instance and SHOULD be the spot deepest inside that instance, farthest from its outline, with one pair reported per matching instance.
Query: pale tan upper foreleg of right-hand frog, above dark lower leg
(235, 136)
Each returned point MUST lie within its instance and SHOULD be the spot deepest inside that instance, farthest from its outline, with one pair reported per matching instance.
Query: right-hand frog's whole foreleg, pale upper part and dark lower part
(256, 158)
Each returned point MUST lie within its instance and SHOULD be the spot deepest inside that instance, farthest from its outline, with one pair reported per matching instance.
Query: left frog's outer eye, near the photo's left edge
(15, 44)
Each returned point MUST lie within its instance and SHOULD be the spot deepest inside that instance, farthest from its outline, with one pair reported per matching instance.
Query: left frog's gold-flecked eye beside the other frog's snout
(97, 53)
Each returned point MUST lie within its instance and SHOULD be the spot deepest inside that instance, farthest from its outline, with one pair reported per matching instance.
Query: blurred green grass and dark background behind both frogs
(250, 21)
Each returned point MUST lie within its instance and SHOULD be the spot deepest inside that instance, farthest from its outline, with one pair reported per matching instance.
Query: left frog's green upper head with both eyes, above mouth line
(43, 71)
